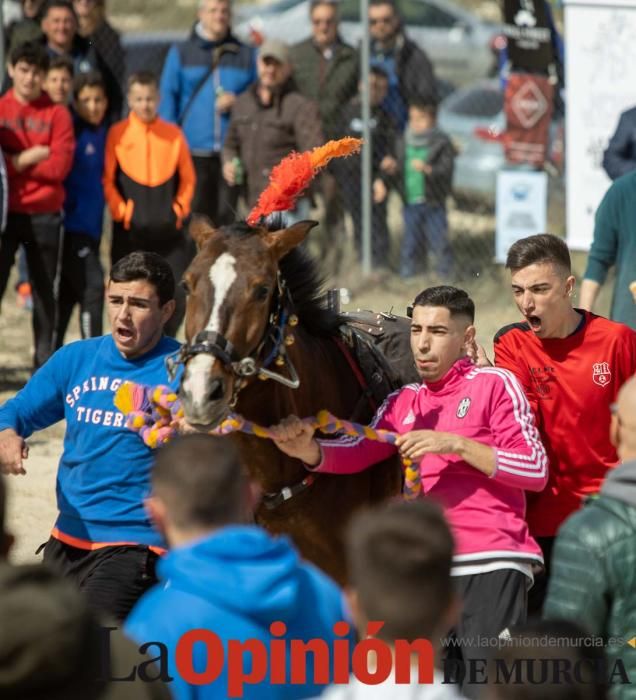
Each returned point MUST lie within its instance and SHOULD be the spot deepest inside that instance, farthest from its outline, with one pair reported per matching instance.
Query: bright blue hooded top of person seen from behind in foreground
(235, 582)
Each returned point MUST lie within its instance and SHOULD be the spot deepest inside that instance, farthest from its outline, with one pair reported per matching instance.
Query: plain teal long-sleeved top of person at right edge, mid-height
(614, 245)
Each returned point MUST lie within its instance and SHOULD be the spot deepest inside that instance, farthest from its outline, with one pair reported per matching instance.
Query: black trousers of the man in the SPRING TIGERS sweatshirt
(112, 578)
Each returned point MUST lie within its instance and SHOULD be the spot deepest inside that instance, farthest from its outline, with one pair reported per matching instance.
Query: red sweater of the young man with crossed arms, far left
(38, 189)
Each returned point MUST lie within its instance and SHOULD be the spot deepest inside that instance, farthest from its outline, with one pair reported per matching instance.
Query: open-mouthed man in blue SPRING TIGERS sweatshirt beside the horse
(102, 537)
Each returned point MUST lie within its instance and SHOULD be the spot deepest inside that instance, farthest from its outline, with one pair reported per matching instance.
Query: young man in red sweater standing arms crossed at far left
(37, 139)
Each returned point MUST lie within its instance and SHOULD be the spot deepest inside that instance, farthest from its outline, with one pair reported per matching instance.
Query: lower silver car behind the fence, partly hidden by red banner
(474, 119)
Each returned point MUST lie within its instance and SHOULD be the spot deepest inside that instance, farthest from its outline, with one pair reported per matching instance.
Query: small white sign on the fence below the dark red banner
(522, 207)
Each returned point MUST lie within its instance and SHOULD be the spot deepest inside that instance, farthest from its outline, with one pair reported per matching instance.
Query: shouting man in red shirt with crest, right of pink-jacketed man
(571, 364)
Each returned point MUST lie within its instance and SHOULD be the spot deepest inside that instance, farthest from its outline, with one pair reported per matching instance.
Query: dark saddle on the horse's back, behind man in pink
(380, 344)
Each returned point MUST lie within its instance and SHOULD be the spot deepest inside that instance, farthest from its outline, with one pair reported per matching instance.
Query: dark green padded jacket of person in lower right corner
(593, 579)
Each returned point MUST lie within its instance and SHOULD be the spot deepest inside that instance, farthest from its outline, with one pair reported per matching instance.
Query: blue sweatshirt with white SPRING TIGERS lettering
(103, 474)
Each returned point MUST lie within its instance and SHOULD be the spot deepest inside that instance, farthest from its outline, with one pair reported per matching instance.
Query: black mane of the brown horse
(305, 282)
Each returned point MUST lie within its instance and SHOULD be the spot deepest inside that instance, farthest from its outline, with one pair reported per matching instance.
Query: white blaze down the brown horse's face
(222, 275)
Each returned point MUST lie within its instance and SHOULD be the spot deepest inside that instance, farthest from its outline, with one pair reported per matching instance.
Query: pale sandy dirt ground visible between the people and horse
(31, 507)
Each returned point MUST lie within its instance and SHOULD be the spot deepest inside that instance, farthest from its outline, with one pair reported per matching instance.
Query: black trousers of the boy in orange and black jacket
(178, 253)
